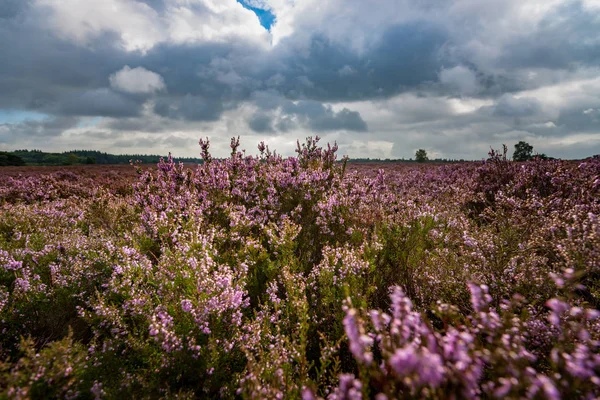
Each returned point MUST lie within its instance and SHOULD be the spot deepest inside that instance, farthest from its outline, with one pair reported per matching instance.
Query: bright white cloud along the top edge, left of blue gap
(140, 27)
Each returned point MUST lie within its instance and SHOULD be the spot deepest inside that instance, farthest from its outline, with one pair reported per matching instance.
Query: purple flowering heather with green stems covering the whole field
(268, 278)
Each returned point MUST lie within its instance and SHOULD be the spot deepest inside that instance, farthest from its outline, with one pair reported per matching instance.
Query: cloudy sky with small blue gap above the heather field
(383, 78)
